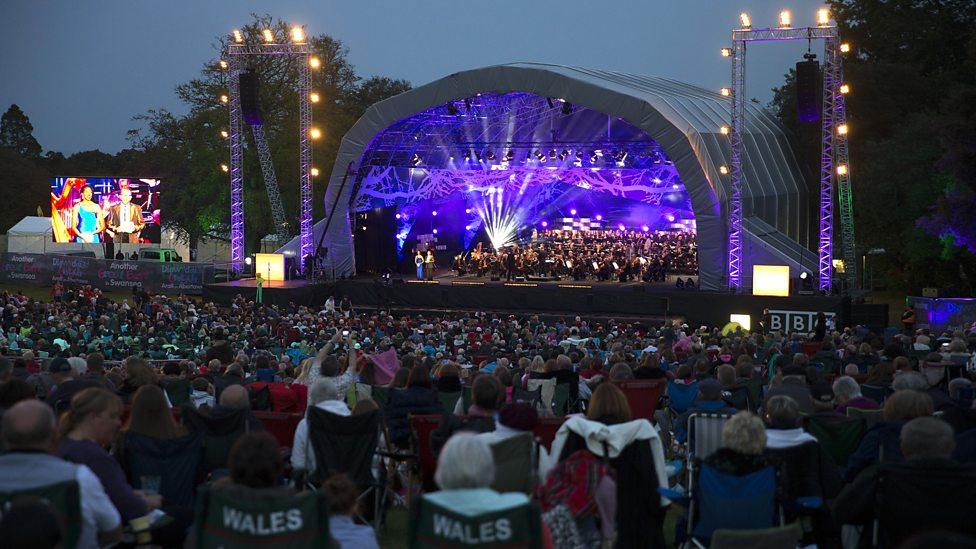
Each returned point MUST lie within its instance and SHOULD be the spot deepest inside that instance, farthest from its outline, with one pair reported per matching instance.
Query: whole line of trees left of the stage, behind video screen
(186, 150)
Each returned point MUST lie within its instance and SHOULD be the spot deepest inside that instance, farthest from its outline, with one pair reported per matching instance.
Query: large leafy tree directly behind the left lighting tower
(187, 151)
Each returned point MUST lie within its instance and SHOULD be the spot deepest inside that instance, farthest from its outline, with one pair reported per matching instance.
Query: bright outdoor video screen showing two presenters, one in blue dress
(105, 209)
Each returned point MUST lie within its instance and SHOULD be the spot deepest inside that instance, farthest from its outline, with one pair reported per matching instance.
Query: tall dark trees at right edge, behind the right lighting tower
(912, 119)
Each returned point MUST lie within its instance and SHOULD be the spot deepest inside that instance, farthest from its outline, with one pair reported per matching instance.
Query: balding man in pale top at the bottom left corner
(29, 434)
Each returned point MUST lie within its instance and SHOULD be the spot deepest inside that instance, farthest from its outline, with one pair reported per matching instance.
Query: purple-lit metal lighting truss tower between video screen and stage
(236, 55)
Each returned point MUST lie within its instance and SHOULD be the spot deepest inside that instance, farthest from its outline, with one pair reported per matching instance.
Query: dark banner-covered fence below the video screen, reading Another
(105, 274)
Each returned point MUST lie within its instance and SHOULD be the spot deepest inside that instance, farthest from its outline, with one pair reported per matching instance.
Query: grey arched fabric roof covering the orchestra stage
(684, 119)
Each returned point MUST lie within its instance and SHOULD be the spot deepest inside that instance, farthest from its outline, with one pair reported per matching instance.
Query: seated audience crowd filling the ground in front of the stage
(147, 414)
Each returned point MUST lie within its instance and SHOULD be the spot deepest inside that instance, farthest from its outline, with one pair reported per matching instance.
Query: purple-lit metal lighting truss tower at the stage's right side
(833, 151)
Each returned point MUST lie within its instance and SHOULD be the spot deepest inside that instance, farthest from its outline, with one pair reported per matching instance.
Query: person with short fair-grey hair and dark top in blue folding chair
(743, 443)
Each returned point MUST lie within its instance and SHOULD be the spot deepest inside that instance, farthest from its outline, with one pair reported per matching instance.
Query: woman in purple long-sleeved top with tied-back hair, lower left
(86, 430)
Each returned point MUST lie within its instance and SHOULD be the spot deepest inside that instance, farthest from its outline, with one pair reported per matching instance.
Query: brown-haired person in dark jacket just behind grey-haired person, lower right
(881, 442)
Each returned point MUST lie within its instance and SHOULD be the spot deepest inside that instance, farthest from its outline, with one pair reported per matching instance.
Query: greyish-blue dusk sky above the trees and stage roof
(81, 69)
